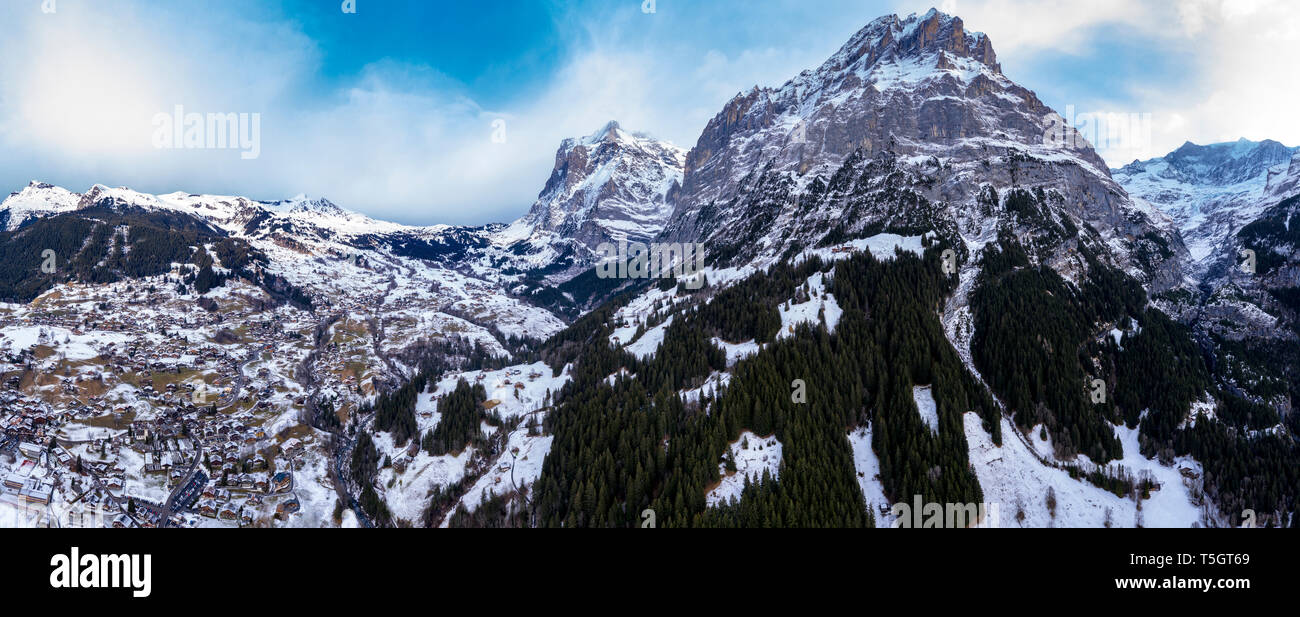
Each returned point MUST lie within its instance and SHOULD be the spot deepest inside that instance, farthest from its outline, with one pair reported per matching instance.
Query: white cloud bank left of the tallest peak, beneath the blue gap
(80, 89)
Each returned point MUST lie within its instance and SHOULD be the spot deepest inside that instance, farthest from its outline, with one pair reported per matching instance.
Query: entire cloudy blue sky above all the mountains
(391, 111)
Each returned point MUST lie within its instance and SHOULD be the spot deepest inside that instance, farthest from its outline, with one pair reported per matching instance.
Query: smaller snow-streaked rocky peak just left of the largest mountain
(608, 186)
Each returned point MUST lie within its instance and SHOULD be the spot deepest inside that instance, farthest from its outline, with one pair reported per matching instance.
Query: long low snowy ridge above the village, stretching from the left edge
(332, 254)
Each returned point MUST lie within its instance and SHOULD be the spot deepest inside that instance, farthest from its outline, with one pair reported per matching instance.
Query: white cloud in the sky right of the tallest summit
(1242, 80)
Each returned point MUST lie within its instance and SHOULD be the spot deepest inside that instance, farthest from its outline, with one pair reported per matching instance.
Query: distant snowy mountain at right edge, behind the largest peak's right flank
(1229, 198)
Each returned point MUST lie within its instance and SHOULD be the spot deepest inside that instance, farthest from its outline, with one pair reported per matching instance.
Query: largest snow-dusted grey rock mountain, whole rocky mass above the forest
(911, 125)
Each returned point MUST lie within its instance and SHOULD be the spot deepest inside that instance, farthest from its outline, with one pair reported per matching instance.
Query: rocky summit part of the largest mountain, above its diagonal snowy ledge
(900, 85)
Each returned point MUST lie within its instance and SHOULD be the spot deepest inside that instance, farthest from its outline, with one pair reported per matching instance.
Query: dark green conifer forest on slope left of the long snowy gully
(639, 445)
